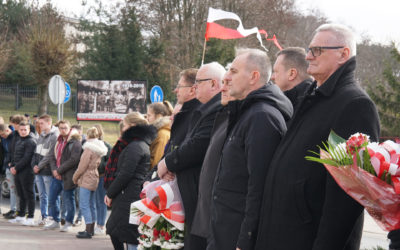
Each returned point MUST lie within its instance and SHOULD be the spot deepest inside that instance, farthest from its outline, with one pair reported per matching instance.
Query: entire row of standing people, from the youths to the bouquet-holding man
(235, 141)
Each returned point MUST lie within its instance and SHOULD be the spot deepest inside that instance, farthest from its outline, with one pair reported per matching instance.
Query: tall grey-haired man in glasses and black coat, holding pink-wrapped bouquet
(303, 207)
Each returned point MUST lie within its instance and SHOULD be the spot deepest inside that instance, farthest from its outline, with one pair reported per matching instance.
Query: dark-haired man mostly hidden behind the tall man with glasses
(290, 73)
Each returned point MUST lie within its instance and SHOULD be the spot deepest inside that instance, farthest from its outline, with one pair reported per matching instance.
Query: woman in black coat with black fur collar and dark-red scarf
(125, 173)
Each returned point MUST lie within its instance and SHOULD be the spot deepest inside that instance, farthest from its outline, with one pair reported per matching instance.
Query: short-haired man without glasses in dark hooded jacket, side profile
(256, 124)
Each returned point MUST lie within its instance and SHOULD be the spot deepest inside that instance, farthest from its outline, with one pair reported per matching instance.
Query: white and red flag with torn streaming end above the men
(215, 30)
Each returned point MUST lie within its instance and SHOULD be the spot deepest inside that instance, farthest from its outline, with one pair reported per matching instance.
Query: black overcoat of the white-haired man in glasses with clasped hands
(187, 159)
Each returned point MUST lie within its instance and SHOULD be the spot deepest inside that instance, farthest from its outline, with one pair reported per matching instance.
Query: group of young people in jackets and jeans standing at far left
(53, 161)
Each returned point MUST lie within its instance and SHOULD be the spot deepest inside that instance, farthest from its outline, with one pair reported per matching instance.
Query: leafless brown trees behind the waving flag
(180, 25)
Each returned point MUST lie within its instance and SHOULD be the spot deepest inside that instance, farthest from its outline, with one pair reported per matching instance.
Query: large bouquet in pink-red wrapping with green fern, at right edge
(367, 171)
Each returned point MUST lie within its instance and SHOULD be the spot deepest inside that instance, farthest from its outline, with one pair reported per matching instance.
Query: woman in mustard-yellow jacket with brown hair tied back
(158, 114)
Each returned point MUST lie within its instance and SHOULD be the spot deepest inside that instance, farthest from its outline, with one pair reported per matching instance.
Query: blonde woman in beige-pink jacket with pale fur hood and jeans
(87, 178)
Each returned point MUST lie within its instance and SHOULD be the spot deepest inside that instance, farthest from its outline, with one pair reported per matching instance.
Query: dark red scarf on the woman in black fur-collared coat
(111, 167)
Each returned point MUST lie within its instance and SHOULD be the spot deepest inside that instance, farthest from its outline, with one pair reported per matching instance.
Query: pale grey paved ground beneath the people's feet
(18, 237)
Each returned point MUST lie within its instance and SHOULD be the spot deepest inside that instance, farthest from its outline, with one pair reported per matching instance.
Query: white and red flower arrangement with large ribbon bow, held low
(160, 216)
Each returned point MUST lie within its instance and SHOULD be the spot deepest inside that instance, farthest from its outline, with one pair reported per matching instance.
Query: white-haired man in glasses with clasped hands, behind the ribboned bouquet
(187, 159)
